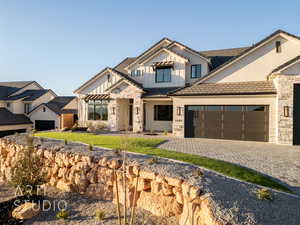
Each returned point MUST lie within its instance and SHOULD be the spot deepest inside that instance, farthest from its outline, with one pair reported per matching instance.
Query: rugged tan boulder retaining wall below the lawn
(165, 188)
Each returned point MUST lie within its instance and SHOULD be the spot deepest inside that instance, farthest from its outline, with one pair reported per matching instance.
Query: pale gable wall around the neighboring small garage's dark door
(38, 114)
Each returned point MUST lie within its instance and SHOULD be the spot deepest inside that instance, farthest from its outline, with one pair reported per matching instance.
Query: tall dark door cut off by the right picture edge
(296, 115)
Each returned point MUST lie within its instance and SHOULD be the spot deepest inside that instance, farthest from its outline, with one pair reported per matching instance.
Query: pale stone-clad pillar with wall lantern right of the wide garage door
(285, 97)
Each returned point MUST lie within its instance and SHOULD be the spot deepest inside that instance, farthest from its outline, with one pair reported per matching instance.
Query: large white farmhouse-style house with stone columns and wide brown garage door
(243, 93)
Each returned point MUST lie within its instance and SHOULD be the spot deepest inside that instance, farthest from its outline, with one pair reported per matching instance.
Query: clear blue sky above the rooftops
(62, 44)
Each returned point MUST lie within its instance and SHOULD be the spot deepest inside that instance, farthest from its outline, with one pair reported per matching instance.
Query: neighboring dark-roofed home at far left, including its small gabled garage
(26, 105)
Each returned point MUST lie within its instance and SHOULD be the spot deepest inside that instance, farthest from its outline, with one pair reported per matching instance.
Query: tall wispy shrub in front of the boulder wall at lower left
(27, 174)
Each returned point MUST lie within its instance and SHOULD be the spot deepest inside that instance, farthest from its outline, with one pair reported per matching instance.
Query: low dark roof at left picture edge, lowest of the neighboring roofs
(8, 118)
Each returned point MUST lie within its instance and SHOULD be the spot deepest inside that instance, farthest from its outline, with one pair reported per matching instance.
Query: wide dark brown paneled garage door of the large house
(232, 122)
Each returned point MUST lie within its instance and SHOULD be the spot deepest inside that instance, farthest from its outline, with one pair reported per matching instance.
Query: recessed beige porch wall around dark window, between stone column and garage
(155, 125)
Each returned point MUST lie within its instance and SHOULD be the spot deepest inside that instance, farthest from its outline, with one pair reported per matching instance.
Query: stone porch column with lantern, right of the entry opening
(138, 114)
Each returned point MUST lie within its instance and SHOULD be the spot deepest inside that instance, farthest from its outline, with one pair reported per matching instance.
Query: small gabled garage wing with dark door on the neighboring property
(61, 112)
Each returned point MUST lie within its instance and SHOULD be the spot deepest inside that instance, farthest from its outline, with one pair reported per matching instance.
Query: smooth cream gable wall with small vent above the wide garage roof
(259, 64)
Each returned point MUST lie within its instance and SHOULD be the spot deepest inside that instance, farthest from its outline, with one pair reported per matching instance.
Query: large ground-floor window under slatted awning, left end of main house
(97, 110)
